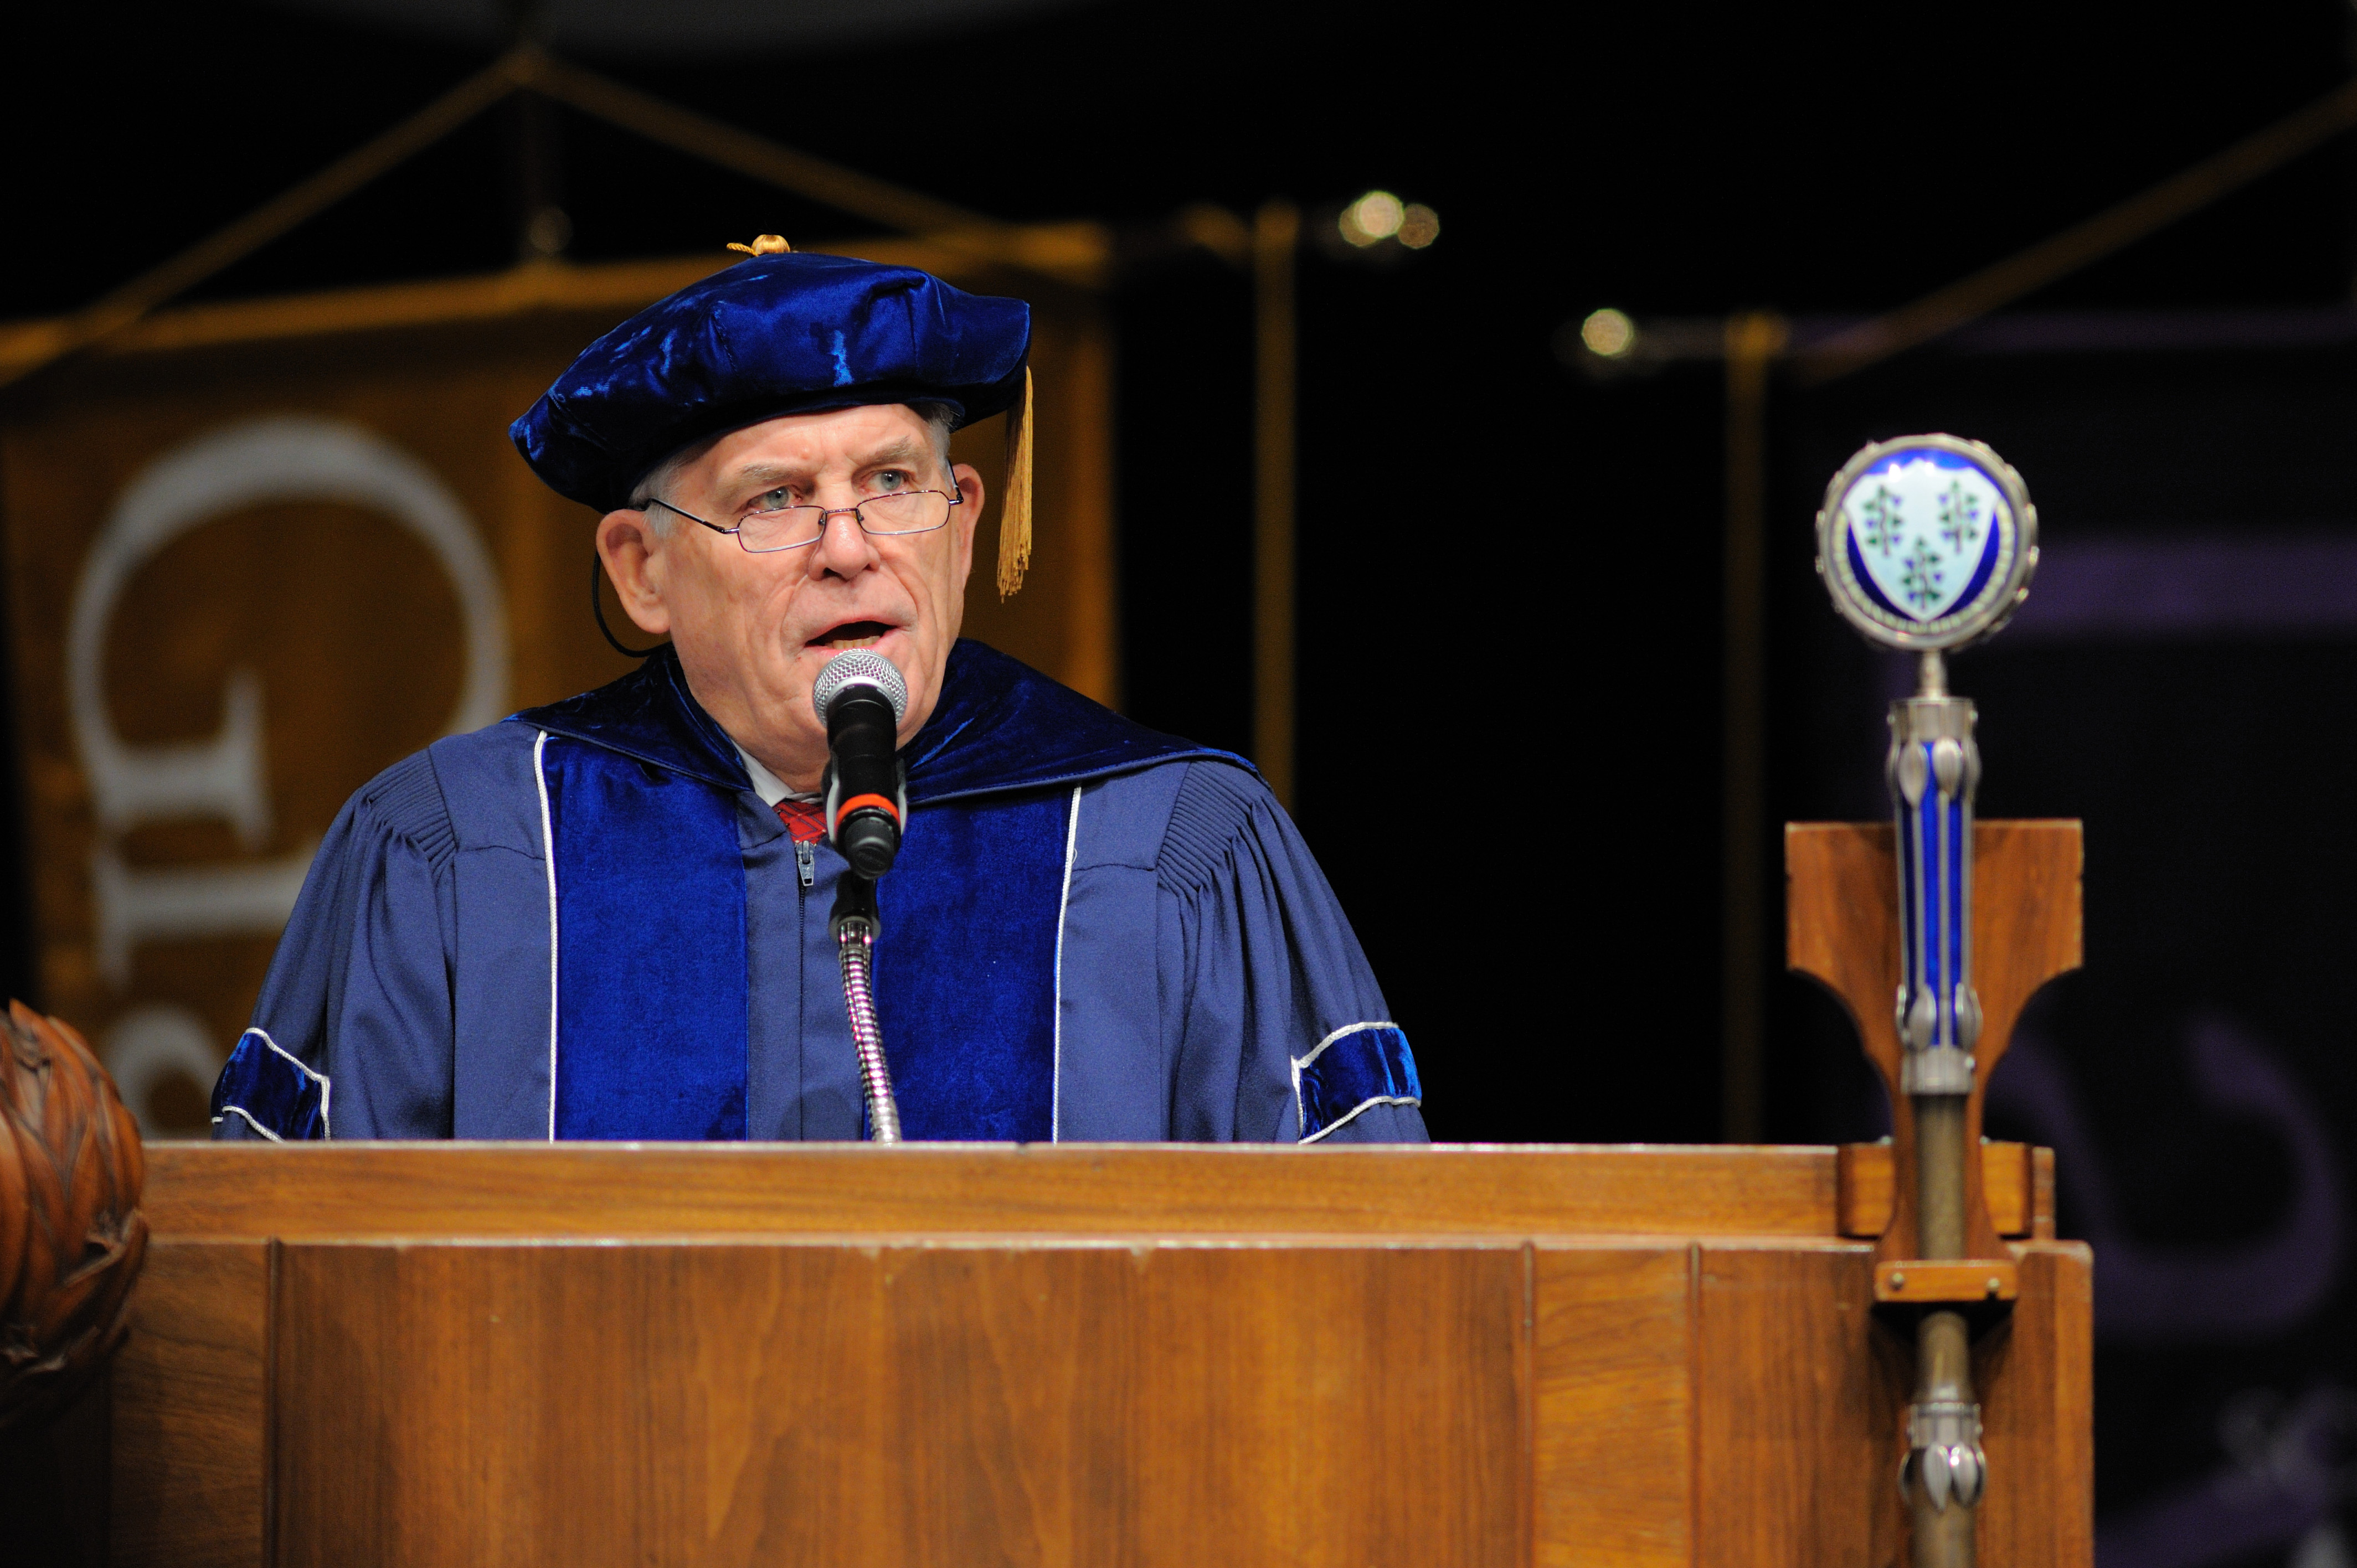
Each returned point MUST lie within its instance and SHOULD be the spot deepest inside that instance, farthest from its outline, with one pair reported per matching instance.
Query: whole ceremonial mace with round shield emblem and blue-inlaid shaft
(1927, 546)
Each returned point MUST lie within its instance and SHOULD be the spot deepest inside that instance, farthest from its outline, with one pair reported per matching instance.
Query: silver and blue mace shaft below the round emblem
(1934, 775)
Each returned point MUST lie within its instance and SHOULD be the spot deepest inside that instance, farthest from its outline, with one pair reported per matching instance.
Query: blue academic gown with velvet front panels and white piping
(586, 923)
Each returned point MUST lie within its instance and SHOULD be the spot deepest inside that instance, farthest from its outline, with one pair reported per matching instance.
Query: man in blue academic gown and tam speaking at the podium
(609, 918)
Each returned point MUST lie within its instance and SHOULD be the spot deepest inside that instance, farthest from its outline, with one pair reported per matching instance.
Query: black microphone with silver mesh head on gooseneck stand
(861, 697)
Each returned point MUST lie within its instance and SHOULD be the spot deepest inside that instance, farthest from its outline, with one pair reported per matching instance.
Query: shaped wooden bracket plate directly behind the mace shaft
(1844, 933)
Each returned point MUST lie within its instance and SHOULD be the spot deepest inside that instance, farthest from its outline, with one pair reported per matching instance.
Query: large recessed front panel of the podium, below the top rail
(904, 1404)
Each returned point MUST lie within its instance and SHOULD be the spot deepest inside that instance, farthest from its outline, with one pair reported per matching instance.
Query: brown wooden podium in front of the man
(1085, 1355)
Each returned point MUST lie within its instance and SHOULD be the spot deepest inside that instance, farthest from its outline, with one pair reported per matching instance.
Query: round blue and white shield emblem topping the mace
(1927, 541)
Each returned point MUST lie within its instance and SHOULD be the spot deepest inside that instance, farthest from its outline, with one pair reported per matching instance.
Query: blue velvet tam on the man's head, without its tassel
(765, 338)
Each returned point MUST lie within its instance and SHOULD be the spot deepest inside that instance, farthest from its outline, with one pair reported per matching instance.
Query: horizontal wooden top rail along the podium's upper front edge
(949, 1190)
